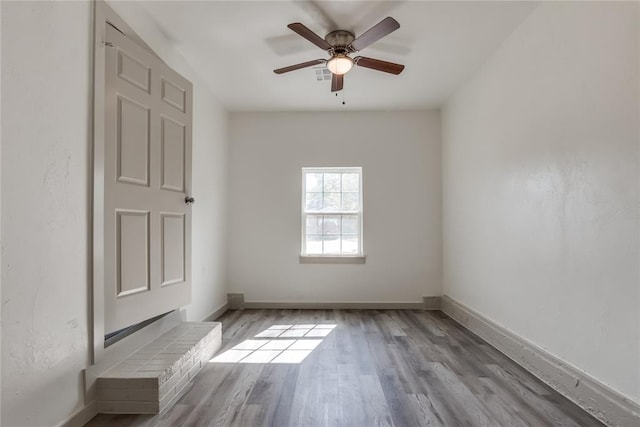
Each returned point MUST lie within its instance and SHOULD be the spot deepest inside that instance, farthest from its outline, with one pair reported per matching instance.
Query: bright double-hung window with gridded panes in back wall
(331, 212)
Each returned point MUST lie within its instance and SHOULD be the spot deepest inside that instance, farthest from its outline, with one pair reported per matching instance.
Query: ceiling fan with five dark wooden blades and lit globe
(340, 44)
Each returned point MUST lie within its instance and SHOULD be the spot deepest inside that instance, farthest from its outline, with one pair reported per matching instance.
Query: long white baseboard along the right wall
(599, 400)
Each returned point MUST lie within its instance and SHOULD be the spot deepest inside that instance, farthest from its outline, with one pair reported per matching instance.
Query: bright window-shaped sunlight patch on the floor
(278, 344)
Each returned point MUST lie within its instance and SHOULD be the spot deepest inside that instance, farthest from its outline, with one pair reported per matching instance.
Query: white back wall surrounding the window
(400, 155)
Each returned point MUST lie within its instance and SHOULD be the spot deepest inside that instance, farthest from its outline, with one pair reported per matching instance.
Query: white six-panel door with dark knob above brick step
(147, 177)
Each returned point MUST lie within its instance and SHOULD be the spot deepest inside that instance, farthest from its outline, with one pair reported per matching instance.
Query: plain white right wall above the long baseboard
(540, 173)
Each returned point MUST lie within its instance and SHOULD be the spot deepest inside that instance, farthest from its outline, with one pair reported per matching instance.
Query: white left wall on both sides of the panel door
(46, 108)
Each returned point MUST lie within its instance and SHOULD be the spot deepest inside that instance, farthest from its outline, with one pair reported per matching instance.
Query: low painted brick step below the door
(151, 379)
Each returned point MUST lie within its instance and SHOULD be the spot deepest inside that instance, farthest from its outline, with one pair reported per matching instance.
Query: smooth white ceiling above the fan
(235, 45)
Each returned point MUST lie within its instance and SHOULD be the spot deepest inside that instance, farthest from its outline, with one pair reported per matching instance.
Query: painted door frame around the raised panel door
(102, 358)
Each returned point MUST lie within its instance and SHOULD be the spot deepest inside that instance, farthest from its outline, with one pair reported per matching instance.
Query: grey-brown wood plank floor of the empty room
(376, 368)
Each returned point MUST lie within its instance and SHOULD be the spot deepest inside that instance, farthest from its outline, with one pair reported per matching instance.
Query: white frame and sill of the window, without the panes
(357, 258)
